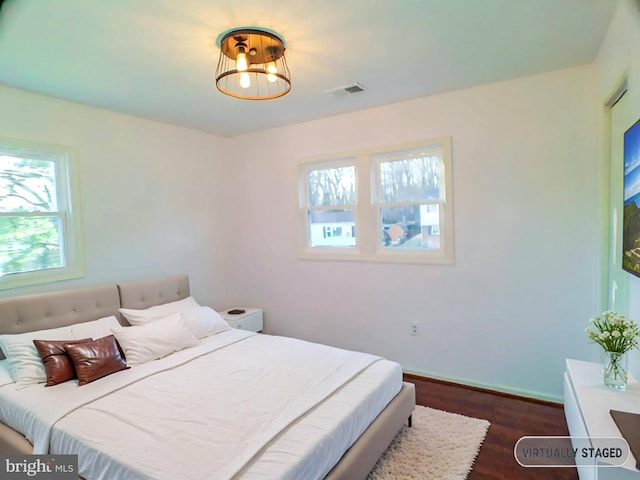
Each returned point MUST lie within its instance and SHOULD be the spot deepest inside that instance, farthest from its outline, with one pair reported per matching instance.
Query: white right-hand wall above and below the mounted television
(619, 57)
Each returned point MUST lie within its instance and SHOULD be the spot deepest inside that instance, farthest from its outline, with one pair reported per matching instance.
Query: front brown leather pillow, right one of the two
(95, 359)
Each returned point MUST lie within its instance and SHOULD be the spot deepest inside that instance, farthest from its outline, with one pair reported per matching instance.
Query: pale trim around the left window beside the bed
(69, 211)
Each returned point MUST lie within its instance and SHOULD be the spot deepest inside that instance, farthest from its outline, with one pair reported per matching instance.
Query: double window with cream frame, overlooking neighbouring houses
(391, 204)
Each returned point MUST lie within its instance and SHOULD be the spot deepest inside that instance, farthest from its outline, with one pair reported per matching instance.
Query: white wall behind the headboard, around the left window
(150, 192)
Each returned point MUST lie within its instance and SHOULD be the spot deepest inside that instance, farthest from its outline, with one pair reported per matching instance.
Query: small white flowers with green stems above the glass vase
(613, 332)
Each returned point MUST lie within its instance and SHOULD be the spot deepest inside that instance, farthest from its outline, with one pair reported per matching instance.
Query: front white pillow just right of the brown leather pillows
(154, 340)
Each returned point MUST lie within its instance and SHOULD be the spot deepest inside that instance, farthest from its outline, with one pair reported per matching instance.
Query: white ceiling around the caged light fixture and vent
(156, 58)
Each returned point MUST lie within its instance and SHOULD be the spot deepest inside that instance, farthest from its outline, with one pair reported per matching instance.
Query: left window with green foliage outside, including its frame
(39, 239)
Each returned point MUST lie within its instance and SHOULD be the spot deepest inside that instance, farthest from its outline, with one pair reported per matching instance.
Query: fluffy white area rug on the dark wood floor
(439, 446)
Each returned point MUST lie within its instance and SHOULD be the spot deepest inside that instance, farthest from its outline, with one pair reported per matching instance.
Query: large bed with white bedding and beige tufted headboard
(302, 426)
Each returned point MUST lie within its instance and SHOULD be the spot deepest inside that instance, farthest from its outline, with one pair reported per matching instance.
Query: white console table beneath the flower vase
(586, 406)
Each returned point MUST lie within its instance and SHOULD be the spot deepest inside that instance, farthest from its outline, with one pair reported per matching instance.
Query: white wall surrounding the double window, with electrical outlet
(527, 272)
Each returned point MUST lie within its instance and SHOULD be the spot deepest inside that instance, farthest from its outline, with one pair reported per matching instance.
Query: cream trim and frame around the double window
(369, 246)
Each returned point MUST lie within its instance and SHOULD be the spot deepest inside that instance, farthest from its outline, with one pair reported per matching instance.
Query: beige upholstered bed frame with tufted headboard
(50, 310)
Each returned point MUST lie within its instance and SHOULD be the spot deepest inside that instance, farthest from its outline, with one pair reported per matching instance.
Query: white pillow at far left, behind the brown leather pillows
(24, 360)
